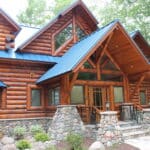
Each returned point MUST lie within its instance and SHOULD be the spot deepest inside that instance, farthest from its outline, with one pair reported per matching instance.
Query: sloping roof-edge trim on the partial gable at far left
(10, 20)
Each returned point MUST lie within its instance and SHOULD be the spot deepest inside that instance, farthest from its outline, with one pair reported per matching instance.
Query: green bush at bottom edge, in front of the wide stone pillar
(75, 141)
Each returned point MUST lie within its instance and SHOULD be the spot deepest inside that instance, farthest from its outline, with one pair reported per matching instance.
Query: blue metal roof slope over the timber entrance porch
(76, 53)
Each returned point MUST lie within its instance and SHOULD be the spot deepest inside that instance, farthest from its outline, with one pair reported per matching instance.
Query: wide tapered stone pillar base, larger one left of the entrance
(65, 120)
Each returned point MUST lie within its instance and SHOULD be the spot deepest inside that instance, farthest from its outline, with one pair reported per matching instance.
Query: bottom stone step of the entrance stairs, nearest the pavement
(131, 135)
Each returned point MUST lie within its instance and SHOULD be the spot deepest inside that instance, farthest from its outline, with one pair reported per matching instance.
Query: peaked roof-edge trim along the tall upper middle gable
(75, 4)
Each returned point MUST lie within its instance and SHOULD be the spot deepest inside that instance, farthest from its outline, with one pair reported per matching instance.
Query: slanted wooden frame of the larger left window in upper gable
(54, 50)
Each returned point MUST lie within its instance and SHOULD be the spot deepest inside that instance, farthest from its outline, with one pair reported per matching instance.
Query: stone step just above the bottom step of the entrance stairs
(127, 129)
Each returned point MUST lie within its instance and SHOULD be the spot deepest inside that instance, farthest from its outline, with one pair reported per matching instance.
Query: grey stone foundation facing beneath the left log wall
(7, 125)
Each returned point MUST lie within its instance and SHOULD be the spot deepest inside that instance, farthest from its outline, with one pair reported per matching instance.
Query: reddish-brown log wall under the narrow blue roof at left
(17, 78)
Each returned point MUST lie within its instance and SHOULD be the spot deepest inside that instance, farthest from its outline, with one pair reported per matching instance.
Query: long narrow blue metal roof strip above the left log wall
(11, 54)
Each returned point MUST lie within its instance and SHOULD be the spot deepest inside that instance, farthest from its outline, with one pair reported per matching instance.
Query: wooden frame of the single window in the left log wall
(29, 97)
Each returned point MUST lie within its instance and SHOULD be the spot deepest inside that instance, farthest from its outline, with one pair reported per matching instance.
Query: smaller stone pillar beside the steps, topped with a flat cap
(108, 132)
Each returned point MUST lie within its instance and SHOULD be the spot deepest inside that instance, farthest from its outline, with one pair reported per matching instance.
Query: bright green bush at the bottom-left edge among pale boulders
(23, 144)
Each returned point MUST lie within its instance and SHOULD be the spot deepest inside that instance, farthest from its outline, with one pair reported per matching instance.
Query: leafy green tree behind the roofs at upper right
(134, 14)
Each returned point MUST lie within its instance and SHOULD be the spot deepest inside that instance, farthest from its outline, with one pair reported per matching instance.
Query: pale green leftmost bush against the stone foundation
(19, 132)
